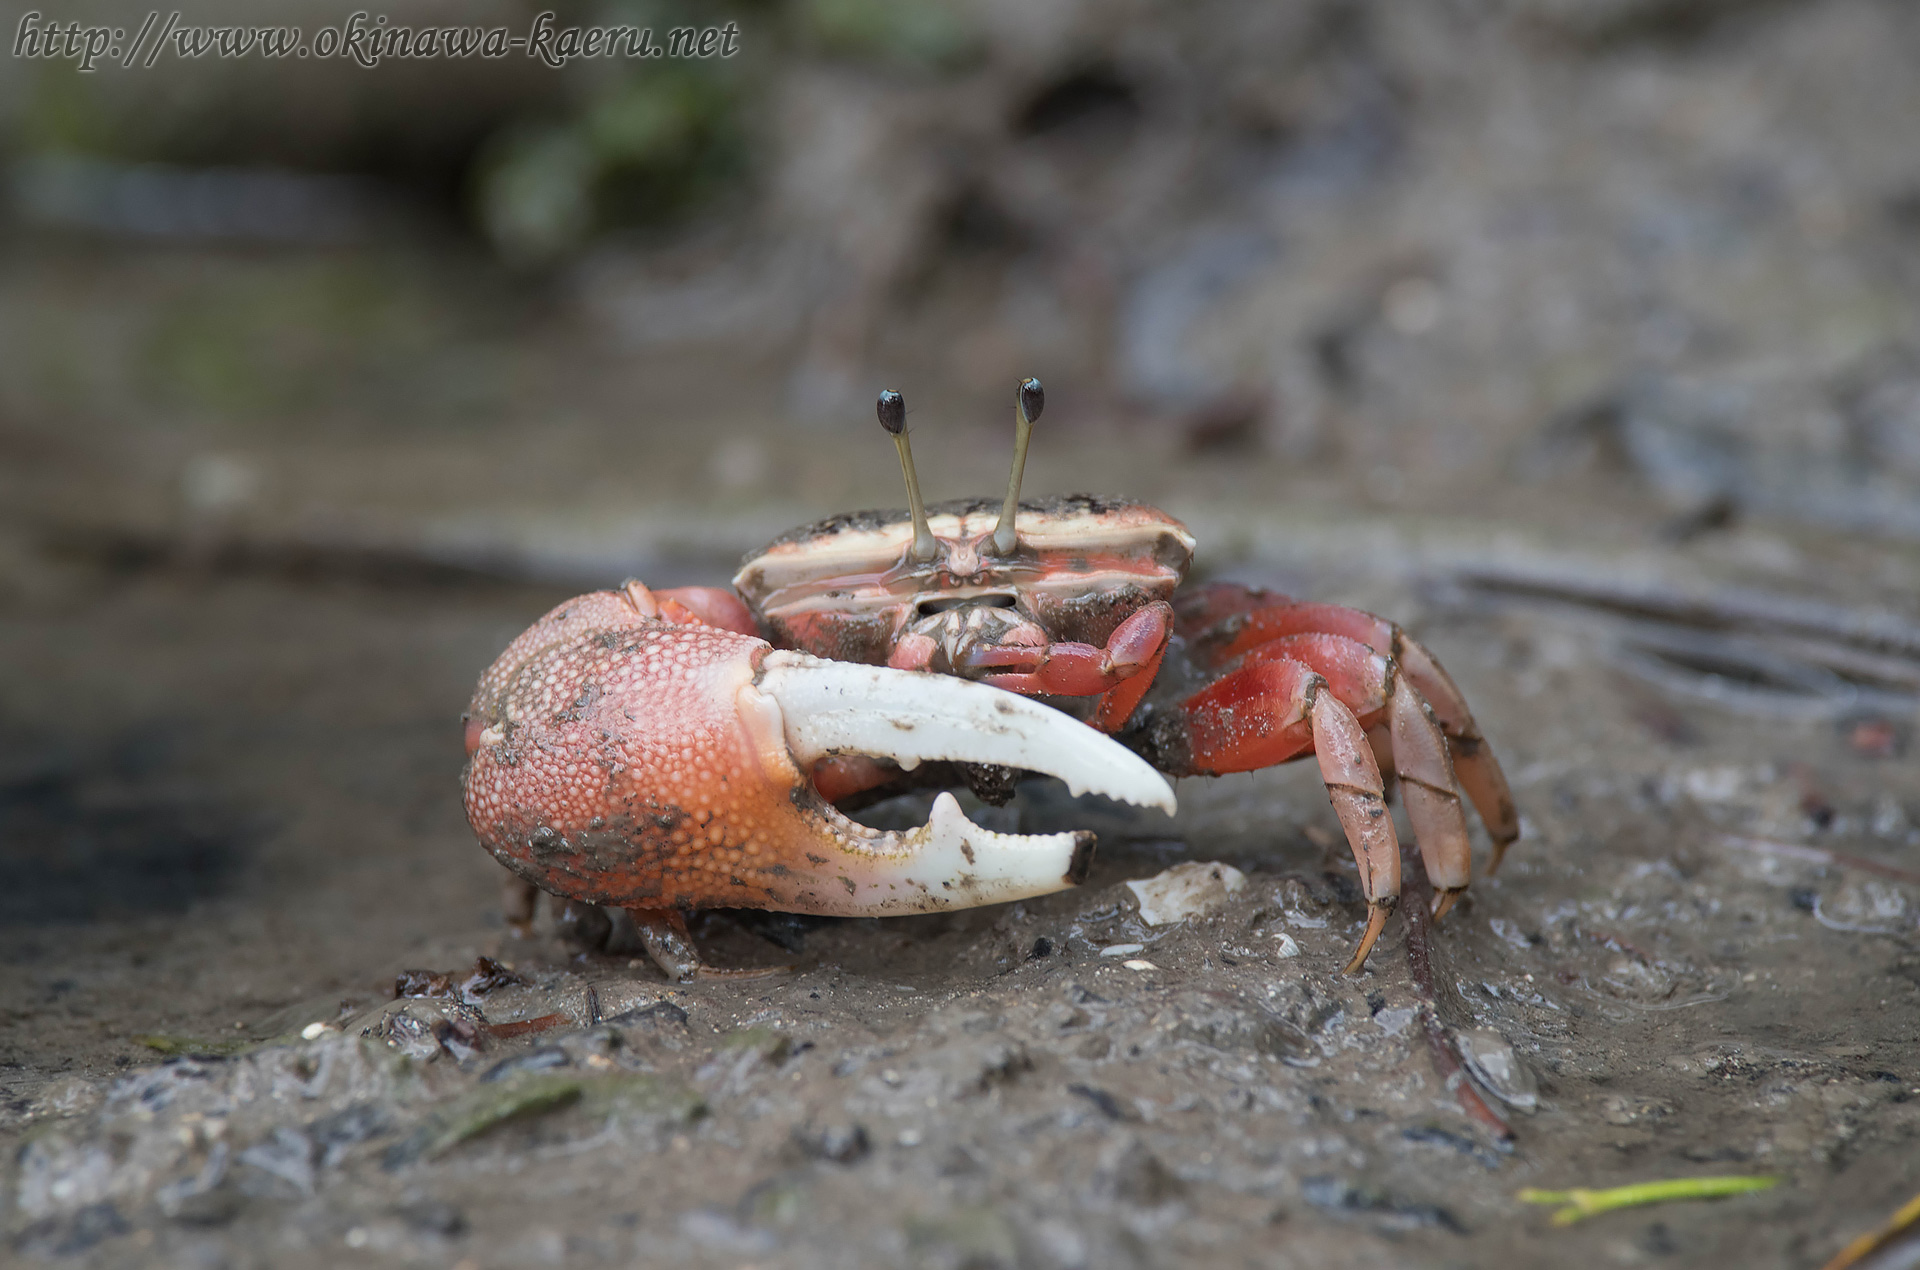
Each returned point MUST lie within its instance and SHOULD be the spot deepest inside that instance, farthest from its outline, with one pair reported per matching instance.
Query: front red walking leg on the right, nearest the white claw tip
(1280, 710)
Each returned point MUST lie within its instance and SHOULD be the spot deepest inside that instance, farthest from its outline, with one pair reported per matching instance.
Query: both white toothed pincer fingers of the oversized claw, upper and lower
(834, 708)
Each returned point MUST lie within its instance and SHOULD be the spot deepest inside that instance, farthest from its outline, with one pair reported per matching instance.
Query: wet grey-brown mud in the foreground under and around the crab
(231, 821)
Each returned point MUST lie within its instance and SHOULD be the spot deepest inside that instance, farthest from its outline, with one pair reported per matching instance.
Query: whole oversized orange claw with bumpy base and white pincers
(631, 762)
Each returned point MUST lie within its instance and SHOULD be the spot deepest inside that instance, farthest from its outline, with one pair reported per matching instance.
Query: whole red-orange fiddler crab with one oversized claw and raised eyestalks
(679, 750)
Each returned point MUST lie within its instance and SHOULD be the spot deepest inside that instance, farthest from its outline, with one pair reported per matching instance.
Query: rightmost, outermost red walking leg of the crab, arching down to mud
(1226, 622)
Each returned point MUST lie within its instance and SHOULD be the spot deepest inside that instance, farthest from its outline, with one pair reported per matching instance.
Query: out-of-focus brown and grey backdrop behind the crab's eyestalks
(1585, 262)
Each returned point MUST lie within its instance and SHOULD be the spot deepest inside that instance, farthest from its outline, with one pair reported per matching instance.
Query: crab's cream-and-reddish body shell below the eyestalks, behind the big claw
(848, 587)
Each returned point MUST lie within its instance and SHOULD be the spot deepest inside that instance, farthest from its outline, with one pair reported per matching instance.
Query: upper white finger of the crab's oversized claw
(913, 718)
